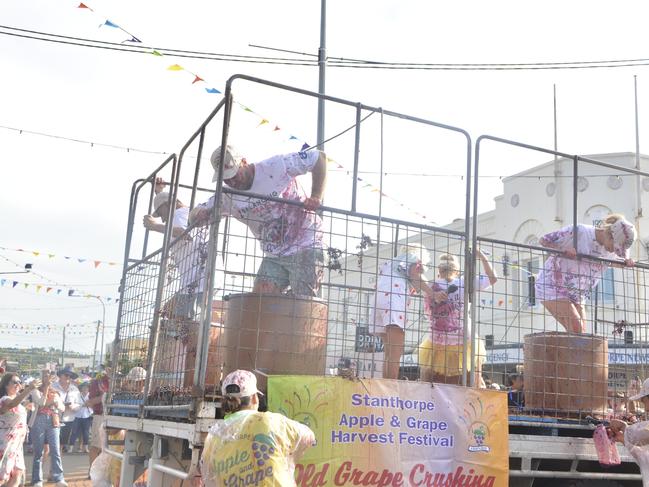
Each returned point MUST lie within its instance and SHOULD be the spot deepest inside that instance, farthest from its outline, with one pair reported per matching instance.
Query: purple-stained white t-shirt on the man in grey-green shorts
(280, 229)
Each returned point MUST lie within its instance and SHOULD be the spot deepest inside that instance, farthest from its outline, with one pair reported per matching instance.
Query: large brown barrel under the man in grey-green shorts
(275, 334)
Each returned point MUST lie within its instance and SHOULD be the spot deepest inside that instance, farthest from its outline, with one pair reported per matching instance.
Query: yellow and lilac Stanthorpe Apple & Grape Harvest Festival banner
(396, 433)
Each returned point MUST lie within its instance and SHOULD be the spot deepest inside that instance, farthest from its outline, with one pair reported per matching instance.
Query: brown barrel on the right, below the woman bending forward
(566, 373)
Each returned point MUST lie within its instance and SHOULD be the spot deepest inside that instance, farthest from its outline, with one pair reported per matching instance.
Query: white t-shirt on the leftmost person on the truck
(189, 254)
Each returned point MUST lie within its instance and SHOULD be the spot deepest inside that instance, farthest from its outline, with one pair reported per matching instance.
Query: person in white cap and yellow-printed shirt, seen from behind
(265, 445)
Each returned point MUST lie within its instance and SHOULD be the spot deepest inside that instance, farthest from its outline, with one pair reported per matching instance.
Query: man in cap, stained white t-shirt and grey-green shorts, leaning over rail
(290, 235)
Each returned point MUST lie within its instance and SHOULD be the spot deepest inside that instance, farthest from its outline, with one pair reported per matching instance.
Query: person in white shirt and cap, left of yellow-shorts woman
(398, 279)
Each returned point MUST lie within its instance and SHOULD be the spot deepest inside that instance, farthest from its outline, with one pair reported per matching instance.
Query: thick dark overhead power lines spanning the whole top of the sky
(340, 62)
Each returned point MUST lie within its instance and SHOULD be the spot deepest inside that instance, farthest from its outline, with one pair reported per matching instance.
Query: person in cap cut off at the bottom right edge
(635, 437)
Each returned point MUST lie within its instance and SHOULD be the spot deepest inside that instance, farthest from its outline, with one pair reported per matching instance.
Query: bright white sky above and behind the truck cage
(71, 199)
